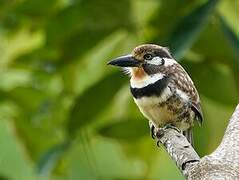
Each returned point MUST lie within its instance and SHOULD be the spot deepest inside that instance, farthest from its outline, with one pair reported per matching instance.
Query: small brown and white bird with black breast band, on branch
(162, 89)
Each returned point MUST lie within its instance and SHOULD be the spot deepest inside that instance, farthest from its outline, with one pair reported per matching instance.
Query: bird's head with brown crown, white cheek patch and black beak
(144, 60)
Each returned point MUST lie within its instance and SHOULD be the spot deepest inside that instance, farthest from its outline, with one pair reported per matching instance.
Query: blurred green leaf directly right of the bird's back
(214, 81)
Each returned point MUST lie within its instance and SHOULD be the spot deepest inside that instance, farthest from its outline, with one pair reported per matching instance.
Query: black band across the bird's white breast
(154, 89)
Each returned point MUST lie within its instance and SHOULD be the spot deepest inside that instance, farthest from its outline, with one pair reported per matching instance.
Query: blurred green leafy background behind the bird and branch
(64, 114)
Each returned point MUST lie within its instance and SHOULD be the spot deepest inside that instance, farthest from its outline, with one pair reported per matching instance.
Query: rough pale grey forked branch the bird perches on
(223, 163)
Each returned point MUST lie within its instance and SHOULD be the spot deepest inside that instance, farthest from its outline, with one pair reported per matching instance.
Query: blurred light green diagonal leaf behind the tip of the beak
(92, 65)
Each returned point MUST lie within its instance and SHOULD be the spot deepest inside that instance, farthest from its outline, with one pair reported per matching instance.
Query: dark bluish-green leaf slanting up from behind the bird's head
(189, 28)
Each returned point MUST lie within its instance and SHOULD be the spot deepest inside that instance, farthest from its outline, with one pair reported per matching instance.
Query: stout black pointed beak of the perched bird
(125, 61)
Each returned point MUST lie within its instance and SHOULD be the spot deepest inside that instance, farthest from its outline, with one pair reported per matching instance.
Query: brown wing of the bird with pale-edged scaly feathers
(183, 82)
